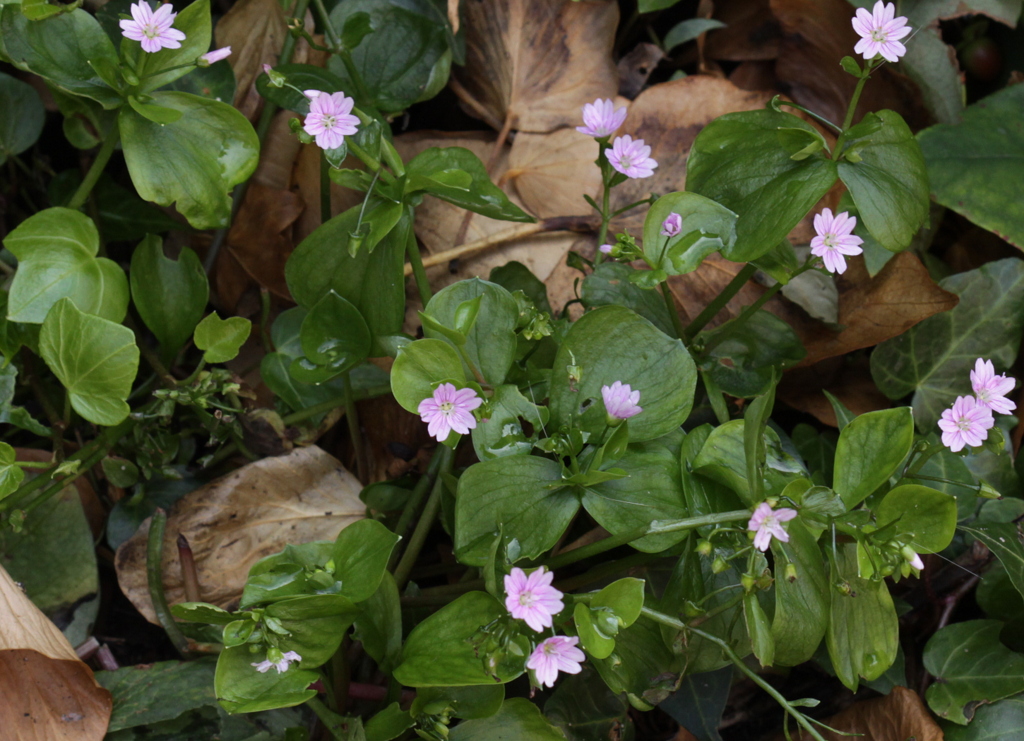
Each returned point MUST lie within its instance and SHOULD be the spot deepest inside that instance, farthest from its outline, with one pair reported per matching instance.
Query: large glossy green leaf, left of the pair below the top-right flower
(744, 162)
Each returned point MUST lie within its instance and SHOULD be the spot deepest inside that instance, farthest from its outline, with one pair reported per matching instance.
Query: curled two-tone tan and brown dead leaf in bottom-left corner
(49, 693)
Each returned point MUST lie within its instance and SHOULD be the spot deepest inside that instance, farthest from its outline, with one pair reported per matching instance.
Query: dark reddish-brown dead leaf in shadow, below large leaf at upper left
(261, 238)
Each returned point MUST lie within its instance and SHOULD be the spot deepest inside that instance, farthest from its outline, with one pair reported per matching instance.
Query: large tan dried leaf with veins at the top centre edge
(532, 65)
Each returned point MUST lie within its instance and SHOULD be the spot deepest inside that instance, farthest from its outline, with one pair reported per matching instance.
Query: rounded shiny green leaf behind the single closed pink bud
(708, 228)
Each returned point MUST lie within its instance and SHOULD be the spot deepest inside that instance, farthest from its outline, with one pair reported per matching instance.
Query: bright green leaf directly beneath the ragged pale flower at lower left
(241, 689)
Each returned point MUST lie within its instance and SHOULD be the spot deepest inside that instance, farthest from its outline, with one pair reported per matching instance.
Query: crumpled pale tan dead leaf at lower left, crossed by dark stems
(235, 521)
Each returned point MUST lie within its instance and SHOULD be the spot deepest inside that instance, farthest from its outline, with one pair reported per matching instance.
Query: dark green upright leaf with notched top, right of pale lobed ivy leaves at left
(170, 295)
